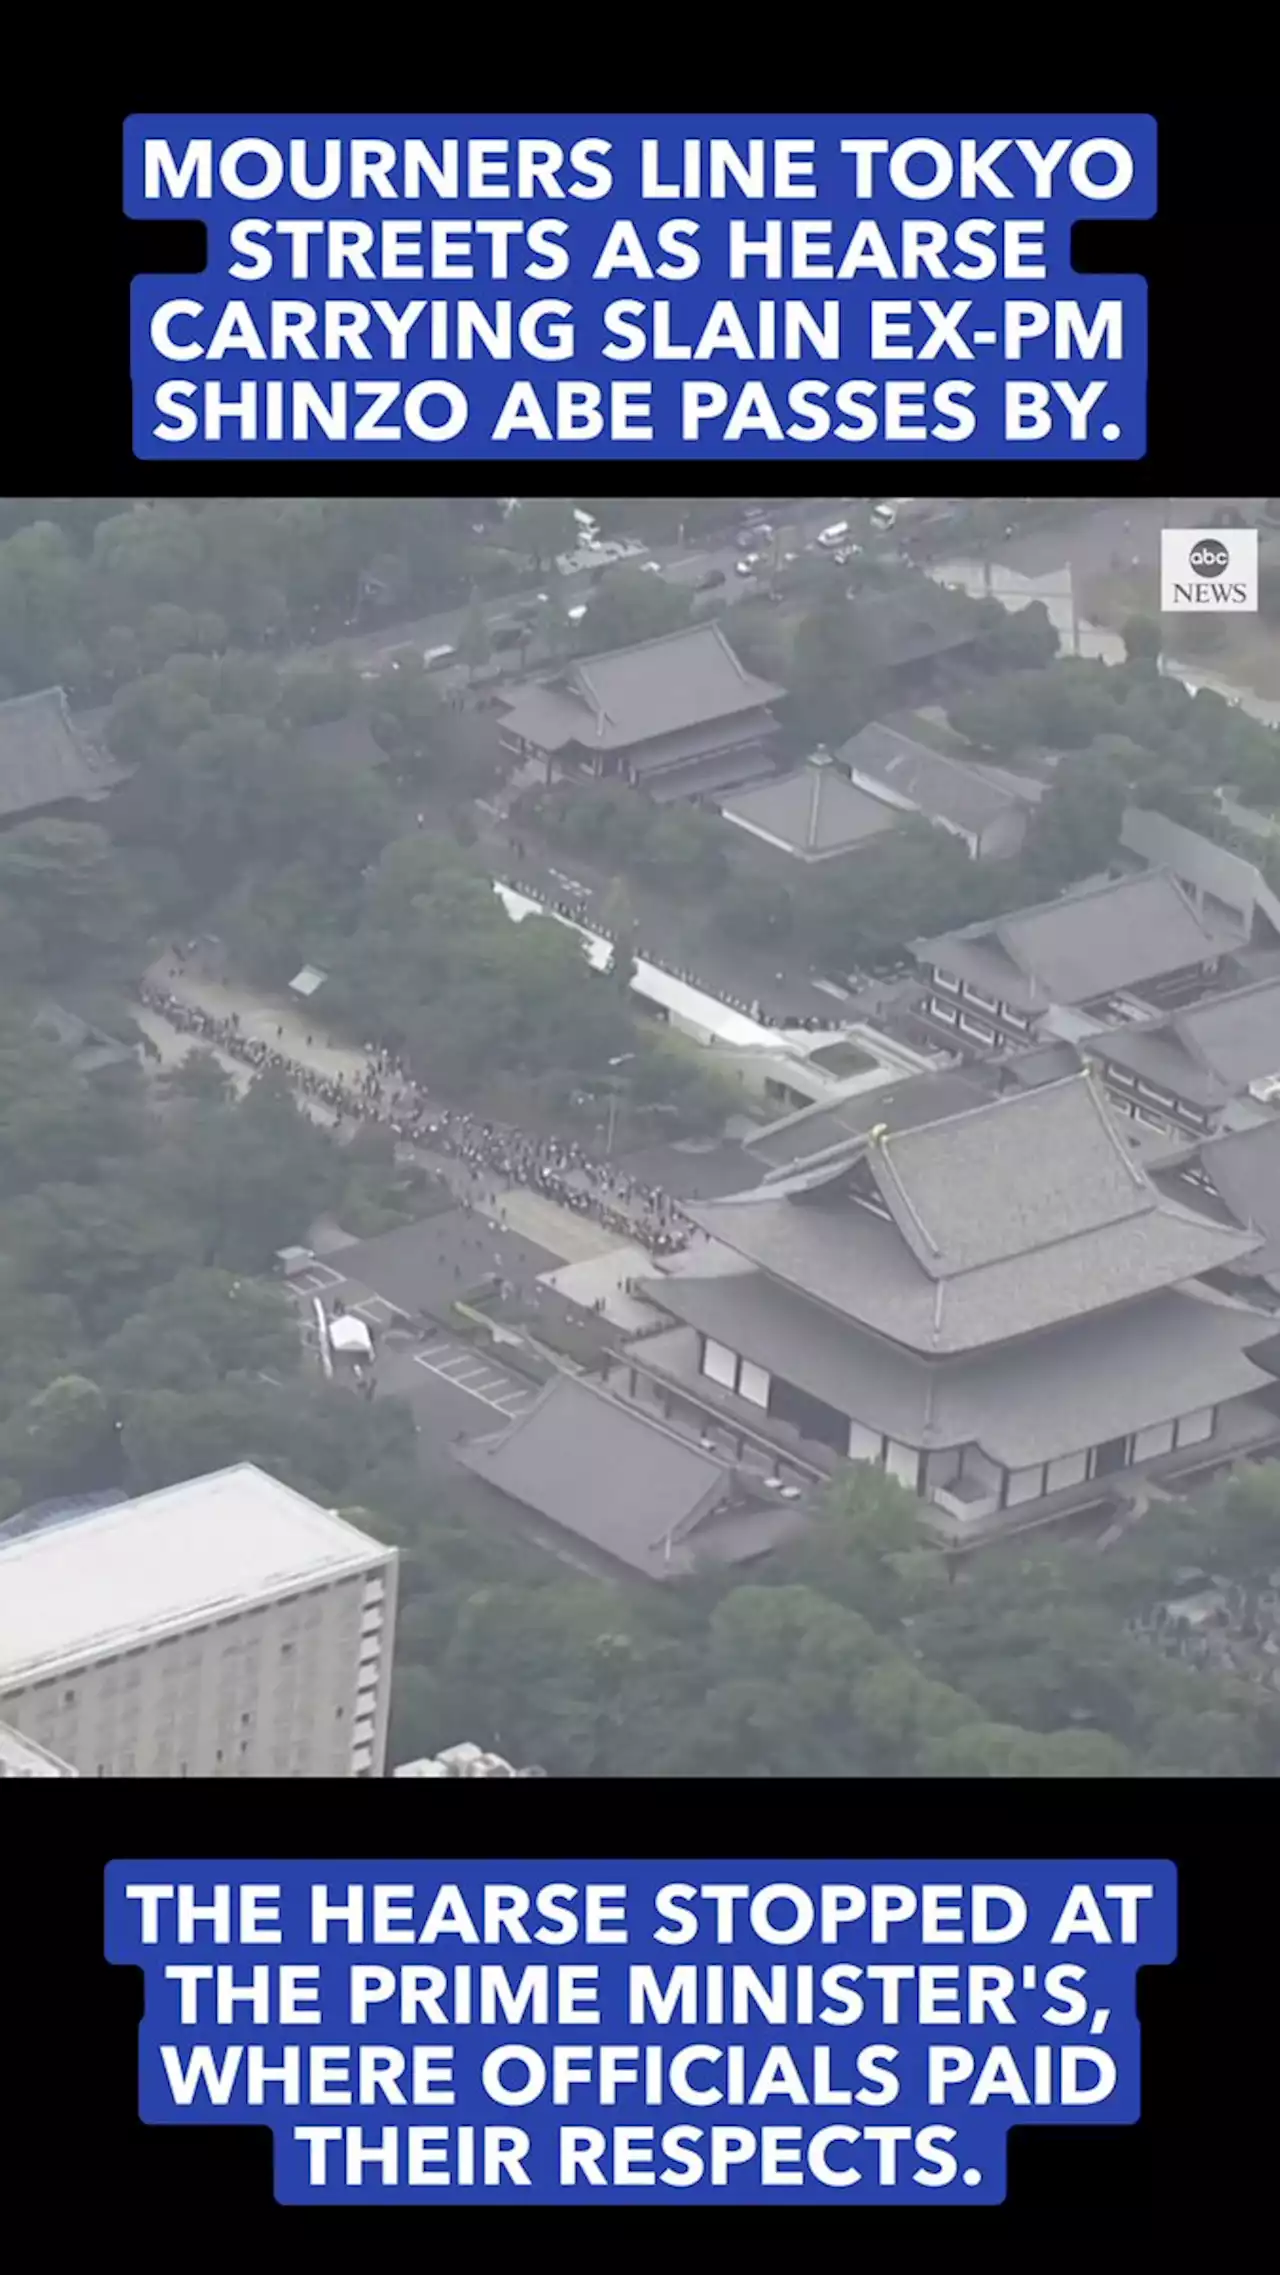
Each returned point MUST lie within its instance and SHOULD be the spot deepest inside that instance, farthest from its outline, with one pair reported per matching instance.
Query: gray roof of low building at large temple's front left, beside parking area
(606, 1473)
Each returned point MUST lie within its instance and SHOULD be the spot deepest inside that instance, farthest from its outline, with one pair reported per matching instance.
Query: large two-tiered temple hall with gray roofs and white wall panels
(1004, 1309)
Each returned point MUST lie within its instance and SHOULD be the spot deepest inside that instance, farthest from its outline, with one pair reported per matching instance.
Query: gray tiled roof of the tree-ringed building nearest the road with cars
(635, 695)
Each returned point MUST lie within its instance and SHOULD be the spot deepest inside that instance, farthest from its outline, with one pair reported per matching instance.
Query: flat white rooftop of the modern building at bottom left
(172, 1560)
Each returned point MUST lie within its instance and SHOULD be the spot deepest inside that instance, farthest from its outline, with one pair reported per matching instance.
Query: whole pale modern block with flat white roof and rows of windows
(224, 1628)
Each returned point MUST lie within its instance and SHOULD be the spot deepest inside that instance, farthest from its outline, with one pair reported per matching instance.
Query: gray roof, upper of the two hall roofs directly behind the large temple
(1086, 945)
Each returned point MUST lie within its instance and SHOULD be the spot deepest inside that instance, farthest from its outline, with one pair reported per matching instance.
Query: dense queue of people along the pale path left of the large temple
(492, 1152)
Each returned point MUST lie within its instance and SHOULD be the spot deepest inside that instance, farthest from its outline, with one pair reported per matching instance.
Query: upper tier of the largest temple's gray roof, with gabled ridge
(999, 1223)
